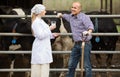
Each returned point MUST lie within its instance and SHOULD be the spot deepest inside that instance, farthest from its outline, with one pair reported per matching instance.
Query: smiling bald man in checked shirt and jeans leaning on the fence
(81, 27)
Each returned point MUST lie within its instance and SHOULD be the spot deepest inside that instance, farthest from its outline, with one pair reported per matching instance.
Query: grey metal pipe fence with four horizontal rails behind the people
(59, 52)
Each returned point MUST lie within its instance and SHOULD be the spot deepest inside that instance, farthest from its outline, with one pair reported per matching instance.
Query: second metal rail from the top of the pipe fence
(94, 34)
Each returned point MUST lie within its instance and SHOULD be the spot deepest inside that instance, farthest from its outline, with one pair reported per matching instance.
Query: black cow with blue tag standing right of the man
(103, 43)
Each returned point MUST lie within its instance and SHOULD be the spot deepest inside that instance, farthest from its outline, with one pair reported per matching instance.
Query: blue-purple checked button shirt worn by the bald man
(78, 24)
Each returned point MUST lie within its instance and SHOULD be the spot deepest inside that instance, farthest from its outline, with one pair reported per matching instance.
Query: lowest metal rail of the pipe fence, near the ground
(58, 70)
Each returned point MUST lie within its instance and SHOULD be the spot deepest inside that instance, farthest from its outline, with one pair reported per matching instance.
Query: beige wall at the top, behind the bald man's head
(87, 5)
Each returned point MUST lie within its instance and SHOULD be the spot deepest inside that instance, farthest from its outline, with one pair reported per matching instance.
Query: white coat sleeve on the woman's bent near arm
(39, 31)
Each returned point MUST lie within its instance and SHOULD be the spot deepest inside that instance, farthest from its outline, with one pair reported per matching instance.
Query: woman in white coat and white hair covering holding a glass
(41, 49)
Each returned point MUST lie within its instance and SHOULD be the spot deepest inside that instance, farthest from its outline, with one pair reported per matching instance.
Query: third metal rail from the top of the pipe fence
(59, 52)
